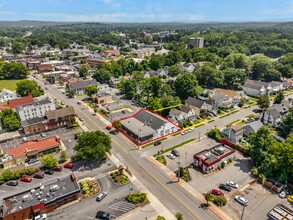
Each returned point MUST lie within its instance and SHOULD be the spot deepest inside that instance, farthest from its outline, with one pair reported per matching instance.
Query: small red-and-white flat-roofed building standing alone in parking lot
(208, 160)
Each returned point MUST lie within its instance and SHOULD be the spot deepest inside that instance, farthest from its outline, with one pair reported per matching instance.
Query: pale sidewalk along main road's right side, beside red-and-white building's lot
(191, 190)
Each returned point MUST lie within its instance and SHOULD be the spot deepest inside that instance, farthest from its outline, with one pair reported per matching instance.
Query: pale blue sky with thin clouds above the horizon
(147, 10)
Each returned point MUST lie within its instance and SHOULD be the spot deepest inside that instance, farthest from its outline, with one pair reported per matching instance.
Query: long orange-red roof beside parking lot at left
(39, 145)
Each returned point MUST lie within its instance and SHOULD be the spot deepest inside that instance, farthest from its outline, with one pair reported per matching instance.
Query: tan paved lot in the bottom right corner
(260, 202)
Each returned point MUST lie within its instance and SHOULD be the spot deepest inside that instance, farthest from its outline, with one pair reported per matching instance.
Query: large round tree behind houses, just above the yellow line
(186, 85)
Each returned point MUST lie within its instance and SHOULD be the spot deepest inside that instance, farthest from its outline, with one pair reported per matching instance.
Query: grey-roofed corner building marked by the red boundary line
(145, 126)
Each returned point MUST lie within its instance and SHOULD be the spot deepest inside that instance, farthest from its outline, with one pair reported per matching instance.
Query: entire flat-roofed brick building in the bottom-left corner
(42, 199)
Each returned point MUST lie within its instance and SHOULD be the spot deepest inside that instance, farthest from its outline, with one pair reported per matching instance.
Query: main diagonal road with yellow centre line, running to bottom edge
(173, 196)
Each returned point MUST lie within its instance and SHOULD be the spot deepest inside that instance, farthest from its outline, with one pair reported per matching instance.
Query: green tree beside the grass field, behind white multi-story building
(25, 87)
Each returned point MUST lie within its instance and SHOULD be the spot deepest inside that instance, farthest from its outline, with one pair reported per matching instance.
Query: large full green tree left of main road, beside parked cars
(92, 145)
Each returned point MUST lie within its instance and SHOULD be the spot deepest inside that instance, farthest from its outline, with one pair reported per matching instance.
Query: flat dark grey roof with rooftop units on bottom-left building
(43, 195)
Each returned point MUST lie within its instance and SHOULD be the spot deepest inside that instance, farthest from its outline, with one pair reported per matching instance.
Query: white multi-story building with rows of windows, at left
(35, 109)
